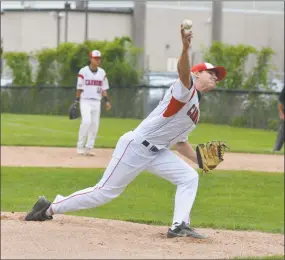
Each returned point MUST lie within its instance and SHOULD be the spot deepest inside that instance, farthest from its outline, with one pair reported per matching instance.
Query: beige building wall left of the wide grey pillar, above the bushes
(29, 31)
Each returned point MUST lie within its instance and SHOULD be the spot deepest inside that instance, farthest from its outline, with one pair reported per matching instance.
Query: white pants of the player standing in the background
(90, 115)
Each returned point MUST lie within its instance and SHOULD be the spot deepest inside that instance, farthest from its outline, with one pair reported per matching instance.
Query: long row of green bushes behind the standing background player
(60, 66)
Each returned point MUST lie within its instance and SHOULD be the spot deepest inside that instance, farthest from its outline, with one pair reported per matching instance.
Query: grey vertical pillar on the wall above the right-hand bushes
(217, 15)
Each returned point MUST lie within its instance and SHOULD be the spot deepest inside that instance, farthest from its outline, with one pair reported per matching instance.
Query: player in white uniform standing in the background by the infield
(92, 85)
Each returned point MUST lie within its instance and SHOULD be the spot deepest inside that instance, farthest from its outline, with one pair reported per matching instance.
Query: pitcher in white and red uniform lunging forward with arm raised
(148, 148)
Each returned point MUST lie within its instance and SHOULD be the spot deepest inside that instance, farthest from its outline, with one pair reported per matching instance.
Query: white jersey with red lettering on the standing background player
(92, 83)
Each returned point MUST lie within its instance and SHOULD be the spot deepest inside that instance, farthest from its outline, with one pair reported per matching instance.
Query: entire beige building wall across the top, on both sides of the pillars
(31, 30)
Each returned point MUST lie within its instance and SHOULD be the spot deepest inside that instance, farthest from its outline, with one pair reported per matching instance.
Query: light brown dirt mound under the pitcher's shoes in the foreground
(67, 237)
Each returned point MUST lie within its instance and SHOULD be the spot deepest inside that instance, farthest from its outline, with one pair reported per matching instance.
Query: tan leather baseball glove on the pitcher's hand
(210, 154)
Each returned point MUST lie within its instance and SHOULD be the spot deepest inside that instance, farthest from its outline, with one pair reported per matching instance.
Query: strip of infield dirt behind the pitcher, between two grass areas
(67, 157)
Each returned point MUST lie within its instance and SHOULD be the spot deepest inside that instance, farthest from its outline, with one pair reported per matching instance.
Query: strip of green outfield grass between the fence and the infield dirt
(42, 130)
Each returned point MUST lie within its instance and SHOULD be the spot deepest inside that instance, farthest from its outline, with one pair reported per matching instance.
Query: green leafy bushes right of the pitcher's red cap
(235, 59)
